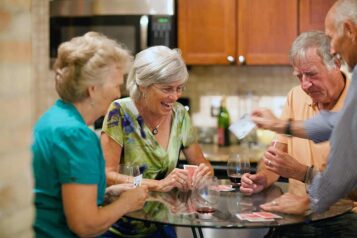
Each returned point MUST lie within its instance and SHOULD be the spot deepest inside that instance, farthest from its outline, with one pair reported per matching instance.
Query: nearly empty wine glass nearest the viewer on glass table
(205, 196)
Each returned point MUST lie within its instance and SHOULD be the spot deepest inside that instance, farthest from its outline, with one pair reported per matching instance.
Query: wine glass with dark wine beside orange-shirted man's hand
(237, 165)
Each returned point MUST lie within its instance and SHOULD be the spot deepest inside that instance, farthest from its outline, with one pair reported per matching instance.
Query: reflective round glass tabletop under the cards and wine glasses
(180, 209)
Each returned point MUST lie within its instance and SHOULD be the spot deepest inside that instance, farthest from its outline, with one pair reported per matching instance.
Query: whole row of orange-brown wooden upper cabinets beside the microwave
(252, 32)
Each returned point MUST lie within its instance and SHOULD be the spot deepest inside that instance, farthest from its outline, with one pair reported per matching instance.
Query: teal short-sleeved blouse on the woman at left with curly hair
(64, 151)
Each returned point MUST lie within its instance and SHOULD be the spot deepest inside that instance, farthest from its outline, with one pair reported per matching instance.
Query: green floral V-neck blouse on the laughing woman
(124, 124)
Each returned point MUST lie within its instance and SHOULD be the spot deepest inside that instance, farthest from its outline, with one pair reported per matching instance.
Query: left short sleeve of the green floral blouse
(112, 124)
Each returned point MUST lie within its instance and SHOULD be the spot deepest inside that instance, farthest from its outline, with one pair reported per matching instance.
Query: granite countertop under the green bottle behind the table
(214, 153)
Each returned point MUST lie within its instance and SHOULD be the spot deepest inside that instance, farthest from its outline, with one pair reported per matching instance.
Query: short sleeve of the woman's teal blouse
(78, 156)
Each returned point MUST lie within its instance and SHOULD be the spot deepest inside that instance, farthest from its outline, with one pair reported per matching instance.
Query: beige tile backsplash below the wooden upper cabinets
(245, 87)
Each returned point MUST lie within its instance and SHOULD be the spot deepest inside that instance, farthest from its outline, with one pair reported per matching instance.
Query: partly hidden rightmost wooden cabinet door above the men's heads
(312, 14)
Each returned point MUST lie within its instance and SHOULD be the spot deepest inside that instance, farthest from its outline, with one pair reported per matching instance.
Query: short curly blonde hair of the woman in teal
(84, 61)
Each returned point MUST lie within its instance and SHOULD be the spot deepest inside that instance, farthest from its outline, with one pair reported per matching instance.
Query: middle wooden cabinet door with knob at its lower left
(266, 30)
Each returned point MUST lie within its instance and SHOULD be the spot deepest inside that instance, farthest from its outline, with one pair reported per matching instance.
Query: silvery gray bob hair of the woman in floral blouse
(155, 65)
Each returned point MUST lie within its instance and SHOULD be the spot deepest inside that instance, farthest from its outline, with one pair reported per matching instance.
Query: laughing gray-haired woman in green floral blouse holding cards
(150, 128)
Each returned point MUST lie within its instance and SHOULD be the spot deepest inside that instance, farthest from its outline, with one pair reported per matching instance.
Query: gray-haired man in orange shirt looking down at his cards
(322, 87)
